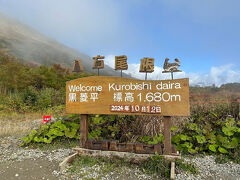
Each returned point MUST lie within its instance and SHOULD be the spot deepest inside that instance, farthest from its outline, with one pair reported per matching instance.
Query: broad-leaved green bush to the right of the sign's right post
(210, 131)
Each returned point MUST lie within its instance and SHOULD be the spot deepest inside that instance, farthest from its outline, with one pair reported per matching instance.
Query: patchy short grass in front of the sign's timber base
(154, 167)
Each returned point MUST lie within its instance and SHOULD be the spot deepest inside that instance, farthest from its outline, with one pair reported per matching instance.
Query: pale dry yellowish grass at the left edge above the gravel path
(17, 124)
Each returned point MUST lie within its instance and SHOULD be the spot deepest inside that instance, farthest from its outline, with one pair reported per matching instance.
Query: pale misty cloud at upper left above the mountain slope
(89, 22)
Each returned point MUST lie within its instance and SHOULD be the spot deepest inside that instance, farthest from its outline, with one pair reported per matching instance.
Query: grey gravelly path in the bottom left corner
(18, 163)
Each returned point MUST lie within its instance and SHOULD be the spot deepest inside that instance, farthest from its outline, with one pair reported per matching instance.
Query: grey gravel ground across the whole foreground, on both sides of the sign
(24, 163)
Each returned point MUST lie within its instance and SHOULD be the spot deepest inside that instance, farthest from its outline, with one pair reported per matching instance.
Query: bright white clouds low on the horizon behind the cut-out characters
(218, 75)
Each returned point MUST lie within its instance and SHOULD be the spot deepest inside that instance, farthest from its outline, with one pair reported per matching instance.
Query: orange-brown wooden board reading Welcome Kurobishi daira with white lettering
(115, 95)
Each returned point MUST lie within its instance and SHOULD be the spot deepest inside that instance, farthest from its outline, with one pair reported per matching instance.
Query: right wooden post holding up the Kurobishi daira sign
(167, 135)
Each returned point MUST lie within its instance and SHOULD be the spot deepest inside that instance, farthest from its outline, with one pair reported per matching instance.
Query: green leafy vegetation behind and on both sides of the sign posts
(208, 131)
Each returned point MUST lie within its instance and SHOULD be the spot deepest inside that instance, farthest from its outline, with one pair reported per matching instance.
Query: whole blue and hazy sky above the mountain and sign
(202, 34)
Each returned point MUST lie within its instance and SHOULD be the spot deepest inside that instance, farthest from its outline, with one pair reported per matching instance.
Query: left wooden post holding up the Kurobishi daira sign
(83, 130)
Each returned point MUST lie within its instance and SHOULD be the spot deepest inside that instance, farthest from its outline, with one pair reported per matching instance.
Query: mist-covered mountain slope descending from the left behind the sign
(28, 44)
